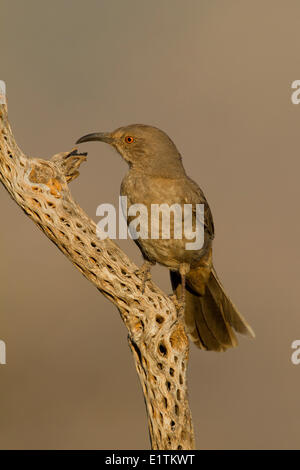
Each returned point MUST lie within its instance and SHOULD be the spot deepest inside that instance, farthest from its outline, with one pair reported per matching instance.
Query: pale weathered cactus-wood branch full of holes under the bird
(156, 337)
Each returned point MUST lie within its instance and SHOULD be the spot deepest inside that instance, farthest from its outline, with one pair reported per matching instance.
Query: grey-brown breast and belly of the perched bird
(148, 191)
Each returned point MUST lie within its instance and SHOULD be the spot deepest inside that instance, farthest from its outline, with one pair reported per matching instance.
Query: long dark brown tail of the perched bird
(210, 317)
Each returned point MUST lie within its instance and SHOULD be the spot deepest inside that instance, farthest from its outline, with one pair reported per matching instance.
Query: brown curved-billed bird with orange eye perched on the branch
(156, 175)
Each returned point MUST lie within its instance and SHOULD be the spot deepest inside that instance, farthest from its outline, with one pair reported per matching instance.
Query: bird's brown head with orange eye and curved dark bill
(141, 146)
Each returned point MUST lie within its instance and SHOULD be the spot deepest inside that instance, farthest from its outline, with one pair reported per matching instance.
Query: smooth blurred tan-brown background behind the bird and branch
(216, 76)
